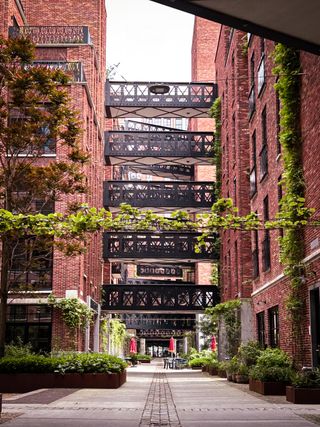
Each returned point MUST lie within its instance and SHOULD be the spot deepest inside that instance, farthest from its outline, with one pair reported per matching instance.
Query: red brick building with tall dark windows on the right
(252, 168)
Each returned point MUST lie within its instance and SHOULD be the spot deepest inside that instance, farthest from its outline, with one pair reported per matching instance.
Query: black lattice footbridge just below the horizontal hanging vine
(163, 245)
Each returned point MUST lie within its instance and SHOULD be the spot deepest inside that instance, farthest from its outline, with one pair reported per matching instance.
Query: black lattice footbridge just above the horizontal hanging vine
(167, 194)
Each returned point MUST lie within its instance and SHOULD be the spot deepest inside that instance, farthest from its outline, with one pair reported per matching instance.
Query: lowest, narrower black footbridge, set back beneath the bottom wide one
(157, 321)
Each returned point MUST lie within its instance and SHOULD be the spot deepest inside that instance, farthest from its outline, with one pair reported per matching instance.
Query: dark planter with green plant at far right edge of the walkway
(305, 387)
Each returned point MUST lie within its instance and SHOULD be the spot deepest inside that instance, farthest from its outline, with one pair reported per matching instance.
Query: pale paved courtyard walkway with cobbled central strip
(154, 397)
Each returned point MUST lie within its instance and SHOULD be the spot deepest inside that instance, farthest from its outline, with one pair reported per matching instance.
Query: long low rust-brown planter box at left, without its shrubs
(22, 383)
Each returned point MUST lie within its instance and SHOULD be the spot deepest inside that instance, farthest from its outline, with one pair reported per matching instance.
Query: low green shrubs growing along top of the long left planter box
(79, 363)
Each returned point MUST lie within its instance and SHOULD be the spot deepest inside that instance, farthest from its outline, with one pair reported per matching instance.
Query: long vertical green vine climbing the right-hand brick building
(292, 206)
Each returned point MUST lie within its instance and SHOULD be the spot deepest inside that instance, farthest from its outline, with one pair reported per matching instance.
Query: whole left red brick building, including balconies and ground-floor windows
(64, 33)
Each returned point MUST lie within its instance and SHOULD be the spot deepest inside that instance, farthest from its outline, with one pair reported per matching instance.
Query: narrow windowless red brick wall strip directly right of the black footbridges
(231, 76)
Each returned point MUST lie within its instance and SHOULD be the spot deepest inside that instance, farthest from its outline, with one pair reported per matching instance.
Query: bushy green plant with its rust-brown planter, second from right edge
(272, 372)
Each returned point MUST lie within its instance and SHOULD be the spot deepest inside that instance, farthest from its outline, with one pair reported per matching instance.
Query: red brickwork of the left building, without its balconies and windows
(79, 276)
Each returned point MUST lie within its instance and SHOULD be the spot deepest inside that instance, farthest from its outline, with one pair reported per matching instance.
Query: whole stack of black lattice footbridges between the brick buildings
(158, 308)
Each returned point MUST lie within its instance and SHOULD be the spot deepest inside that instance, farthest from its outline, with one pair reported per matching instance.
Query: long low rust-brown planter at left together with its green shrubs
(94, 370)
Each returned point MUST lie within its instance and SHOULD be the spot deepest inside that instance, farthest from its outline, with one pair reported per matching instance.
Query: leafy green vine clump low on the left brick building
(75, 313)
